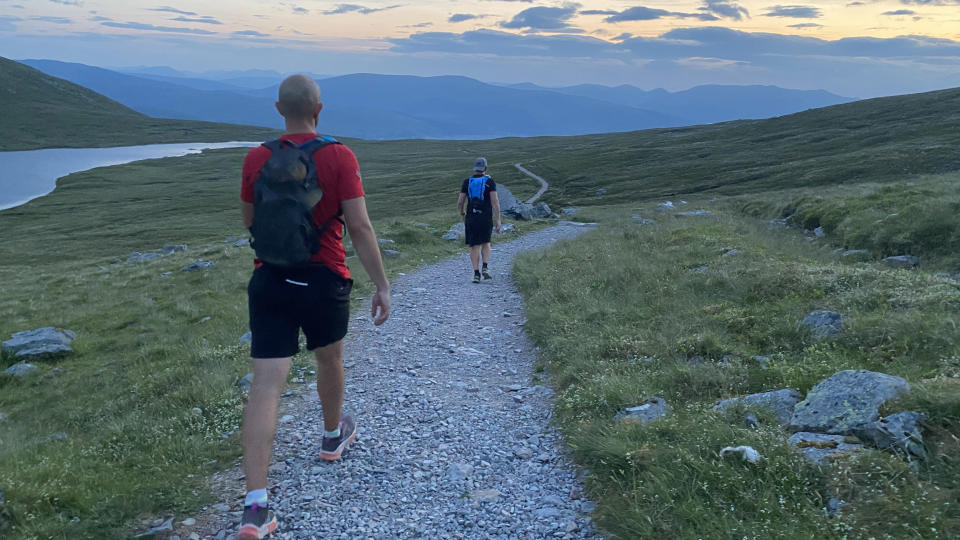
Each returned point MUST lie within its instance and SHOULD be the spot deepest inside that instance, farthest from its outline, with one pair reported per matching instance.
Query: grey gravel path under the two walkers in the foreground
(453, 441)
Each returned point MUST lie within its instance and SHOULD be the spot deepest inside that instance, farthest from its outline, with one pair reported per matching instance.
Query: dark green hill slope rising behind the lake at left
(40, 111)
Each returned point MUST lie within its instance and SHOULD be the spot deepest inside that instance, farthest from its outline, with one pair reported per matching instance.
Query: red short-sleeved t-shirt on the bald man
(338, 173)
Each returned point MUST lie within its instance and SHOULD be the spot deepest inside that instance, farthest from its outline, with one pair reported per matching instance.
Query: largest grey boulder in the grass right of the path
(847, 401)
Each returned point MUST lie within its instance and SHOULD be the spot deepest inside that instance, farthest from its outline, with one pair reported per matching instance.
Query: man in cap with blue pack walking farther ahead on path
(480, 193)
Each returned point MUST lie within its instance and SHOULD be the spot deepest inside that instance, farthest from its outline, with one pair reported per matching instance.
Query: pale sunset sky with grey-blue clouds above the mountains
(856, 48)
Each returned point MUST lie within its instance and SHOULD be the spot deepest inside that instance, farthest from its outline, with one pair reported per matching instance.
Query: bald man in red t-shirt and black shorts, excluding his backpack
(314, 298)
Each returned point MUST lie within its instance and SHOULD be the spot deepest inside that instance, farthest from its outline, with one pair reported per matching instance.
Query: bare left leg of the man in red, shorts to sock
(260, 418)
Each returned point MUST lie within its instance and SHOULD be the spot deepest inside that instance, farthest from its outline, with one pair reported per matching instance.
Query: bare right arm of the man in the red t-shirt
(368, 251)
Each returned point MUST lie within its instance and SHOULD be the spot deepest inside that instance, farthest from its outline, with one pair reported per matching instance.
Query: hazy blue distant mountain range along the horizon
(397, 107)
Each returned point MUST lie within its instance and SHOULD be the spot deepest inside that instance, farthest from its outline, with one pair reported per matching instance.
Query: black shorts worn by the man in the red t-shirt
(282, 301)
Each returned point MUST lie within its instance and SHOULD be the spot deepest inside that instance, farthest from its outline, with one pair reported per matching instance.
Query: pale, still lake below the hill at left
(26, 175)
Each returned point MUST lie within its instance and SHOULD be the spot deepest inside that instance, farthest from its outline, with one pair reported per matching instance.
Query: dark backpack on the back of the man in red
(285, 194)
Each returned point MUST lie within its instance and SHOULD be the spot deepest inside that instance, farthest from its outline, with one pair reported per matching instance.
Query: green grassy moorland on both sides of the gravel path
(135, 450)
